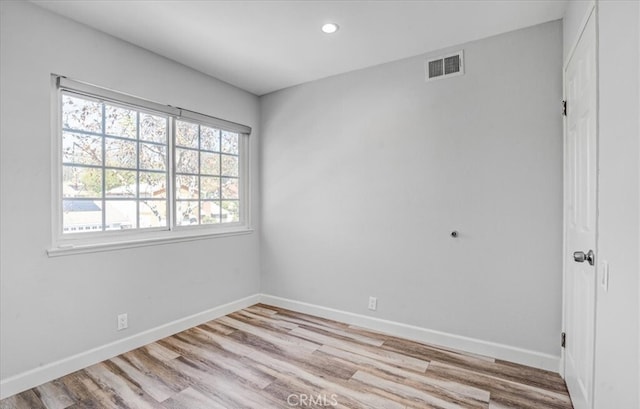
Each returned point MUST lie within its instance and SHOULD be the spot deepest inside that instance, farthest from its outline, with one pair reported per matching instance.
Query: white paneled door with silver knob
(580, 217)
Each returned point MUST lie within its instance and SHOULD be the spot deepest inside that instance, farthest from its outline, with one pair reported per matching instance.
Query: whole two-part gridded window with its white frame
(128, 168)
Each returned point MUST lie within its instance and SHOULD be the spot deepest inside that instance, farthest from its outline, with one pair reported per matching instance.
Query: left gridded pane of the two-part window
(114, 166)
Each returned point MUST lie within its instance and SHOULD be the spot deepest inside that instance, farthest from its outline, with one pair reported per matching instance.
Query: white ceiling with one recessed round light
(263, 46)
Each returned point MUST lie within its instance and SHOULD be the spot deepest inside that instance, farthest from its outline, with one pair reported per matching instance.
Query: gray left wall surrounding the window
(52, 308)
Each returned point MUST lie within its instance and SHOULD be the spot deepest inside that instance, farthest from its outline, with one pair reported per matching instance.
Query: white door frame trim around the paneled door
(591, 11)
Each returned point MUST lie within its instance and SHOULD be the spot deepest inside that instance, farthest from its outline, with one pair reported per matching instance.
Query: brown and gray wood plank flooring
(264, 357)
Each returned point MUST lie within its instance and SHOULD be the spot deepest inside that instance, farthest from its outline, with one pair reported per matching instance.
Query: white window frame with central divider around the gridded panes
(63, 244)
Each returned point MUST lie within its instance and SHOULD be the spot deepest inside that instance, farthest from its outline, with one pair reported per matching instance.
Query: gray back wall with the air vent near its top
(365, 174)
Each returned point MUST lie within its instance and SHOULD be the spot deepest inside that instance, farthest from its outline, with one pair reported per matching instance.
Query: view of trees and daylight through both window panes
(115, 169)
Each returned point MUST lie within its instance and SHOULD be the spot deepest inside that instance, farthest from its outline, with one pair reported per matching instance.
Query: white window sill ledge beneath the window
(70, 249)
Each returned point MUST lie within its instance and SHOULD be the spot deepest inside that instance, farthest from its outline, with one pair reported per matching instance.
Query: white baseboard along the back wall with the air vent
(471, 345)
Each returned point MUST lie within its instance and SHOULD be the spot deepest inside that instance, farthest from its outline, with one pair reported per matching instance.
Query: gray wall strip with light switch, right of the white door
(617, 377)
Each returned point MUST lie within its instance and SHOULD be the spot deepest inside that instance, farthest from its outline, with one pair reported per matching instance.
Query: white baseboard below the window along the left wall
(37, 376)
